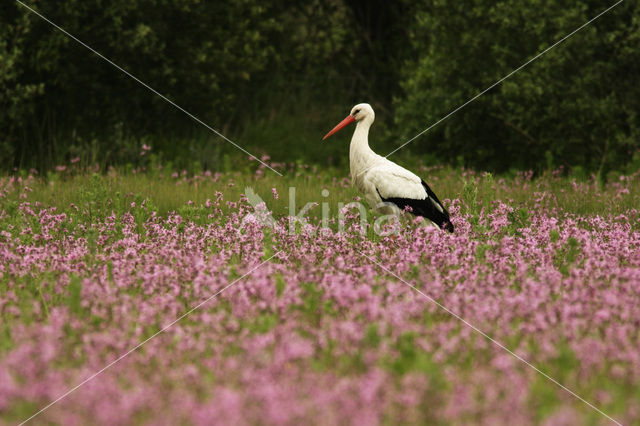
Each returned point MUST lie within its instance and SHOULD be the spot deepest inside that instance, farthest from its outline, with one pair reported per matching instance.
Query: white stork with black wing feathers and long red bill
(387, 187)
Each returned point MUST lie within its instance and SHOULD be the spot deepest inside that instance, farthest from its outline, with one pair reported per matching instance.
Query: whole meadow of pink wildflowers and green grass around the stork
(317, 326)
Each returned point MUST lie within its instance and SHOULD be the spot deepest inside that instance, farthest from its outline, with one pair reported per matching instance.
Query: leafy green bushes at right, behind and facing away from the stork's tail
(575, 106)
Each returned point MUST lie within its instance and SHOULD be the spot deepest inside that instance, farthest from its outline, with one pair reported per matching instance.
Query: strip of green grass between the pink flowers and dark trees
(99, 194)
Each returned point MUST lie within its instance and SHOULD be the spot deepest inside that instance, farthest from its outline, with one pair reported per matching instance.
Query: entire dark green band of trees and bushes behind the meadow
(276, 76)
